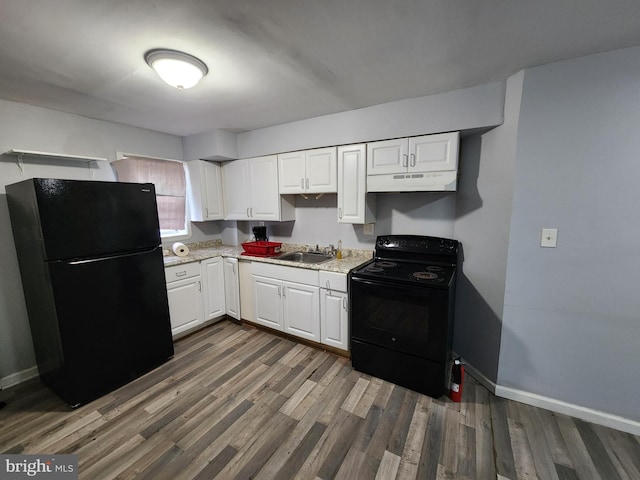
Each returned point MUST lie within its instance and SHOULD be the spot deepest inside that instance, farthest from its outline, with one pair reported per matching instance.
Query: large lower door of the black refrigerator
(113, 319)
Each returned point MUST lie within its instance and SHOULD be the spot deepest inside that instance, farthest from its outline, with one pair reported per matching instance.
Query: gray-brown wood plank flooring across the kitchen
(238, 403)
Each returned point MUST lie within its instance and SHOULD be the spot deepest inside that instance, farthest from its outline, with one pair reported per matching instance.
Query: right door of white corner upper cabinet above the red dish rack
(265, 203)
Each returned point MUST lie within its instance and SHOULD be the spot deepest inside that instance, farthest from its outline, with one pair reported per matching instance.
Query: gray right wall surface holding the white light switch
(571, 324)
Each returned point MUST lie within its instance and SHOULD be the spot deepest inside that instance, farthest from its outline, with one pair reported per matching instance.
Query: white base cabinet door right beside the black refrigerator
(185, 304)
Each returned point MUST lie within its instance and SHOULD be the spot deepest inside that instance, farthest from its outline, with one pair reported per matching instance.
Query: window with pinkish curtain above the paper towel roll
(169, 179)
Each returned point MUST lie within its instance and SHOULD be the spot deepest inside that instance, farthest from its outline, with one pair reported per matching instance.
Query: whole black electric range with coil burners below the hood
(401, 311)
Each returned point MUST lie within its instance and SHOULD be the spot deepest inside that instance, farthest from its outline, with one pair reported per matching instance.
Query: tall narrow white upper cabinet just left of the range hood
(354, 204)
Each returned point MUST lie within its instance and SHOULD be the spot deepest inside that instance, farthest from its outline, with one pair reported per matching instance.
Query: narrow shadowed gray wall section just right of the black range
(482, 221)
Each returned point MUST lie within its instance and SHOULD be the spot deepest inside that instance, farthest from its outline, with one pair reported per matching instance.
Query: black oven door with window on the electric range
(413, 320)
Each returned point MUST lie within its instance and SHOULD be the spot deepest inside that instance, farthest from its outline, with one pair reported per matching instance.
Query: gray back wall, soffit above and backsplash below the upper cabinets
(426, 213)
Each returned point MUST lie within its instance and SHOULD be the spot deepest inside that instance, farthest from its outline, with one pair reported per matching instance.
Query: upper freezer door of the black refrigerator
(92, 219)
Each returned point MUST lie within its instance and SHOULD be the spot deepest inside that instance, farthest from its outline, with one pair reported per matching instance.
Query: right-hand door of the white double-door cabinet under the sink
(301, 310)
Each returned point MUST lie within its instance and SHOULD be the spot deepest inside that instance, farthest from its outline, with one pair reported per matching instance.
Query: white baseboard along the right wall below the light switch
(583, 413)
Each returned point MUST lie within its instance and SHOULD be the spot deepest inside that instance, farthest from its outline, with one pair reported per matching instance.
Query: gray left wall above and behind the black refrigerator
(31, 128)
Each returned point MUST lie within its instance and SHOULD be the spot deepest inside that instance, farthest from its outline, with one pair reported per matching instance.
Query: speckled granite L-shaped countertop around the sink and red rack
(204, 250)
